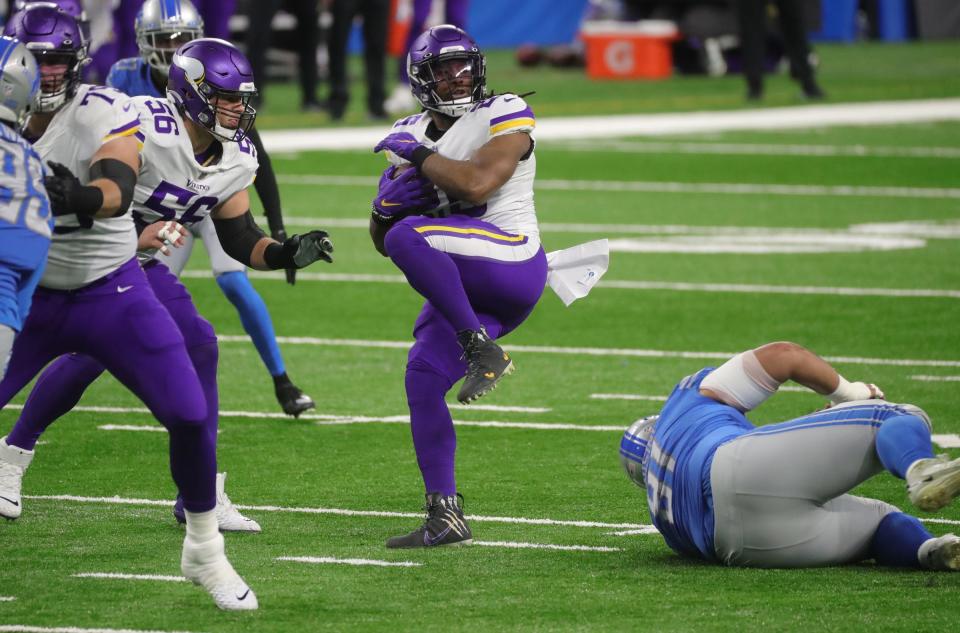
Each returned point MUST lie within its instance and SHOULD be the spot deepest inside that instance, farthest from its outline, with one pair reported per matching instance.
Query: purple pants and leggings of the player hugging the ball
(471, 274)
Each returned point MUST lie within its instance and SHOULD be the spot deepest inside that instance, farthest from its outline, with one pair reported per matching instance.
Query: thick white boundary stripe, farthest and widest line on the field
(620, 126)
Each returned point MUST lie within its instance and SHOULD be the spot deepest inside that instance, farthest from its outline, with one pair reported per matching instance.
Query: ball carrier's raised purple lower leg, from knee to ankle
(433, 274)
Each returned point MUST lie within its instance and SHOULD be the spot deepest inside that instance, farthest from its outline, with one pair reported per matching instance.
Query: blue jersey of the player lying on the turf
(676, 467)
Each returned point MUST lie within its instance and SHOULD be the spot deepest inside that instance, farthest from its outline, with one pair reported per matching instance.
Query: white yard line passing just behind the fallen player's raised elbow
(591, 351)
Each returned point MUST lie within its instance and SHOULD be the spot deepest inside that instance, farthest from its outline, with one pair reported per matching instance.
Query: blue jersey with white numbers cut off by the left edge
(26, 222)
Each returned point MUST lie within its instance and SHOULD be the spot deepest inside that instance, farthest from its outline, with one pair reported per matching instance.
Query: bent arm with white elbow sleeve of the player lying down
(747, 379)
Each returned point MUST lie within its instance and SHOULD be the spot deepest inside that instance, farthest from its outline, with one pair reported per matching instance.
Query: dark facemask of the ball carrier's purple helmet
(450, 83)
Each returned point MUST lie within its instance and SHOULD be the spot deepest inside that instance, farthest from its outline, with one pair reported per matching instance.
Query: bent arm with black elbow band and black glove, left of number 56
(113, 176)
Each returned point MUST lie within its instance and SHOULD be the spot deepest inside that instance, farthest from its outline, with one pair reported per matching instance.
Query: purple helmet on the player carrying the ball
(443, 58)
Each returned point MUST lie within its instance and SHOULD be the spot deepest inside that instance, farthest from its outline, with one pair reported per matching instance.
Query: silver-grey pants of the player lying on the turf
(779, 492)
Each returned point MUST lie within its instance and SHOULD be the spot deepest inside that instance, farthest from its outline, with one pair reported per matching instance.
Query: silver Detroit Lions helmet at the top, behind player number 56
(162, 26)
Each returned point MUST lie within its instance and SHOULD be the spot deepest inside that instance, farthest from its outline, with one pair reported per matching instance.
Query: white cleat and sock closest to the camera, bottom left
(206, 565)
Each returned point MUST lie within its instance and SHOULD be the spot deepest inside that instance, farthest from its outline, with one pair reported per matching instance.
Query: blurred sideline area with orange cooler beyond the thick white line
(323, 62)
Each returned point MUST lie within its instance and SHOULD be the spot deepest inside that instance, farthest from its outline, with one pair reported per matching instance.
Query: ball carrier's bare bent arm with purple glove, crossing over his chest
(472, 180)
